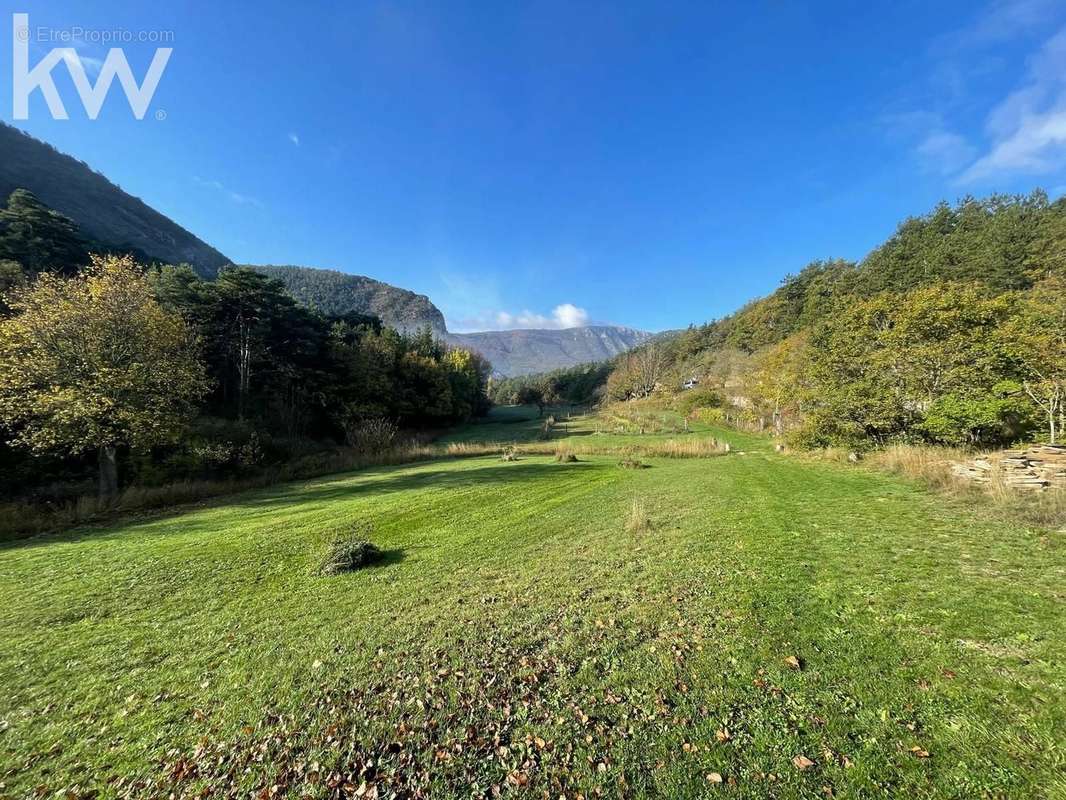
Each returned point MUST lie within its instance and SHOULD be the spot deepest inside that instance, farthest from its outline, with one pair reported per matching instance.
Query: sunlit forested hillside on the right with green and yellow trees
(952, 332)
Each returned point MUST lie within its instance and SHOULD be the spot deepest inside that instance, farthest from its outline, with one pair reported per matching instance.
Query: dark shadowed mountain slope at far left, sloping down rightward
(103, 211)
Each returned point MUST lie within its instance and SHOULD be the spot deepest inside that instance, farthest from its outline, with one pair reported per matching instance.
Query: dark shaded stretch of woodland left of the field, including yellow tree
(163, 377)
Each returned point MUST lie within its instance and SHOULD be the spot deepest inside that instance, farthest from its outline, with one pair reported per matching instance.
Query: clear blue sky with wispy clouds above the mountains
(546, 164)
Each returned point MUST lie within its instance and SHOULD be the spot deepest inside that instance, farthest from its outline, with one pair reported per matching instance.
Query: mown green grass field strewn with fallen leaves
(518, 639)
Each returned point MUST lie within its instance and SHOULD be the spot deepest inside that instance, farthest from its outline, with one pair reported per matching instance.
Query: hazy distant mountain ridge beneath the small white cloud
(525, 353)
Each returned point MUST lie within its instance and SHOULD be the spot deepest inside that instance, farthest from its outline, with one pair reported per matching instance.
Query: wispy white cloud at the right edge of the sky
(1028, 129)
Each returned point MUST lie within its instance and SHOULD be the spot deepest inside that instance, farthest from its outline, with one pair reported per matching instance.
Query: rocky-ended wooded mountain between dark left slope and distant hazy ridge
(337, 293)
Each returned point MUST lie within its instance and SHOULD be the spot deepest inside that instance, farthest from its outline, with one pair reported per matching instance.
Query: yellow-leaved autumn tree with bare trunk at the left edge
(94, 363)
